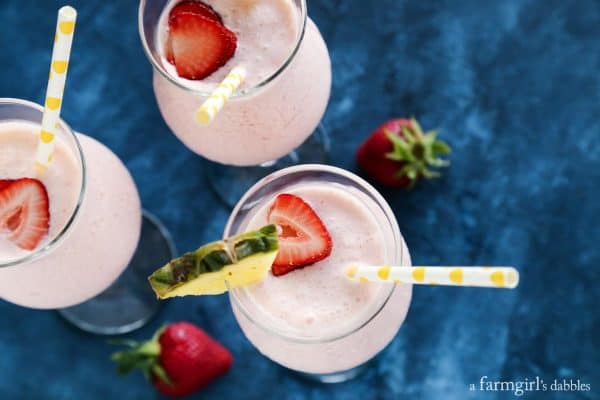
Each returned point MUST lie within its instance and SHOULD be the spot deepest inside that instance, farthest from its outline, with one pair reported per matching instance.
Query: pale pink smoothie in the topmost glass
(282, 99)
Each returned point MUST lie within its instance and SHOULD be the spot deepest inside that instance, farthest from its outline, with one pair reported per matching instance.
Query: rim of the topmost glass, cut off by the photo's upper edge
(157, 65)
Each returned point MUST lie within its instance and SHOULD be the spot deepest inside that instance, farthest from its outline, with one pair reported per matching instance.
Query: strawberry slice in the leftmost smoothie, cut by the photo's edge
(24, 212)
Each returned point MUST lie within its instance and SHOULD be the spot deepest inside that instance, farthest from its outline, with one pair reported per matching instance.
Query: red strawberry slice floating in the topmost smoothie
(200, 45)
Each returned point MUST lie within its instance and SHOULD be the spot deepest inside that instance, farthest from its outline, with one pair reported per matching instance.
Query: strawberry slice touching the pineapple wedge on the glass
(303, 239)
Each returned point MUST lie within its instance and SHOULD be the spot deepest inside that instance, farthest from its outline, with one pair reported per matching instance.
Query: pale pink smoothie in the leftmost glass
(93, 231)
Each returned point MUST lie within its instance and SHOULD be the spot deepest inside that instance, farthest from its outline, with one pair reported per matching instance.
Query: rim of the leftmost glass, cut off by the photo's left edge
(34, 255)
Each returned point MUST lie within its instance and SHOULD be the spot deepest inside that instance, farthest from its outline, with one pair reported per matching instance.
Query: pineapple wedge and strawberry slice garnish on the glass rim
(295, 238)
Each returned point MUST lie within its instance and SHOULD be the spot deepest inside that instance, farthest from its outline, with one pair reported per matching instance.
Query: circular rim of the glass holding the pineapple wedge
(234, 294)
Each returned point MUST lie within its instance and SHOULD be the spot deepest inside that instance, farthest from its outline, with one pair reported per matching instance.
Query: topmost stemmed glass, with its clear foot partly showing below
(262, 128)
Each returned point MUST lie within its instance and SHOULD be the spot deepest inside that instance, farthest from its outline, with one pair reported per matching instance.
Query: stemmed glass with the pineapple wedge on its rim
(342, 353)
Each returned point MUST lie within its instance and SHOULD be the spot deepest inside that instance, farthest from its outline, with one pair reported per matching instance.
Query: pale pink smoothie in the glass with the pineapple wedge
(314, 320)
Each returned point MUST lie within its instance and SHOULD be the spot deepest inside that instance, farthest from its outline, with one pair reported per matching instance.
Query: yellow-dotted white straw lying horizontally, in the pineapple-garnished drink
(494, 277)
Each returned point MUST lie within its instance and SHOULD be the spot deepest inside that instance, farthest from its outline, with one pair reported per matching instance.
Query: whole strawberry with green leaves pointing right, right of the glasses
(398, 153)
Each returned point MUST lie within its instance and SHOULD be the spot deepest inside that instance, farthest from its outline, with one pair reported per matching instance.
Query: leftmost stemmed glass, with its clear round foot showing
(90, 270)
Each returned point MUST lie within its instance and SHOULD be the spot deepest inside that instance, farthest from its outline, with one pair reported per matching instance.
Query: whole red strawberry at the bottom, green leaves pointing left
(179, 359)
